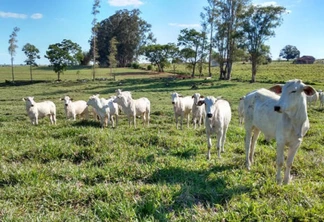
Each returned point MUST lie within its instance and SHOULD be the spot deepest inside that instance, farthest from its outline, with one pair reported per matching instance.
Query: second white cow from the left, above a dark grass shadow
(76, 108)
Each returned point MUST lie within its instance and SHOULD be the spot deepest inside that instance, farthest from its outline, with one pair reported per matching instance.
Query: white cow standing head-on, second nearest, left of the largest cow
(218, 117)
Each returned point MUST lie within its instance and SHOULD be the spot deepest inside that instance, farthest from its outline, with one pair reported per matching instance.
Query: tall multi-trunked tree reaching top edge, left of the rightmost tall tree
(228, 21)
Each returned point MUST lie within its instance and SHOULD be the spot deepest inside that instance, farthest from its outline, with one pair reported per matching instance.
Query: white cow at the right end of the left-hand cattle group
(134, 107)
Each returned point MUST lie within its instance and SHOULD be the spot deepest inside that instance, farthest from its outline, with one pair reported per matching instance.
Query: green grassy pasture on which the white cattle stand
(76, 171)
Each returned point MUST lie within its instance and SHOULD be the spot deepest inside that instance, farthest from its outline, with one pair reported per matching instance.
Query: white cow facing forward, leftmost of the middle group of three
(182, 106)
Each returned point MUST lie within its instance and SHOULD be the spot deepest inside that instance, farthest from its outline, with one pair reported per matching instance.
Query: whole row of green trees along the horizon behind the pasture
(231, 30)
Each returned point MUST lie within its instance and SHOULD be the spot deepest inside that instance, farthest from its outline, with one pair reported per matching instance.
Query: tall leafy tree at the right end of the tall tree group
(258, 26)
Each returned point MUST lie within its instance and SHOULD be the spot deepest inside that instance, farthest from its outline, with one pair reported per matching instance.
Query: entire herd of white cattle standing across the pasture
(280, 113)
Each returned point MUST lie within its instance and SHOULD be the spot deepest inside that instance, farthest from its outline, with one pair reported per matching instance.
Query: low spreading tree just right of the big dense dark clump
(159, 55)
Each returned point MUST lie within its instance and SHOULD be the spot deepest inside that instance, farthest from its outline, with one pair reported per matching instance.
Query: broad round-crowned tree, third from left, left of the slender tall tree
(64, 54)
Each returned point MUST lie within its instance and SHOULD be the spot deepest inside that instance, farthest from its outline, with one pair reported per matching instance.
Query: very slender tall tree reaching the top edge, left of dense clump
(95, 11)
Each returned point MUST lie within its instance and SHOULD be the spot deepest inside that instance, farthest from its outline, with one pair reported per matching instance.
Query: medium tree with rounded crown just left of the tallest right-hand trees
(192, 41)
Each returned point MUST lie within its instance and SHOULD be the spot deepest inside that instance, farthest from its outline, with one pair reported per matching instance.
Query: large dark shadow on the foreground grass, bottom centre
(204, 188)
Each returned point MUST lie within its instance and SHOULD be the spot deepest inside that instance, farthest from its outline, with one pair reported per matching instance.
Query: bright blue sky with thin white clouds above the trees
(48, 22)
